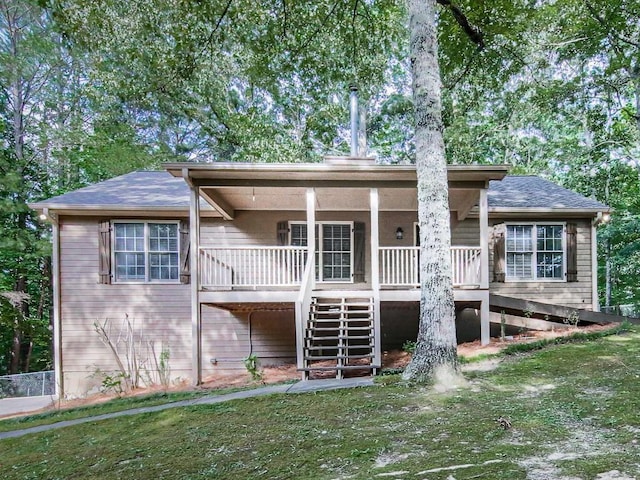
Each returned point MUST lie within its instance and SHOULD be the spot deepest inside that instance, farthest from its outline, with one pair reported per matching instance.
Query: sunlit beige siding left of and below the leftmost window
(160, 313)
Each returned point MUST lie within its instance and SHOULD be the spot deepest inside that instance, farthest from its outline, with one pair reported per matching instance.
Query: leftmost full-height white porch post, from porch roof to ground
(194, 248)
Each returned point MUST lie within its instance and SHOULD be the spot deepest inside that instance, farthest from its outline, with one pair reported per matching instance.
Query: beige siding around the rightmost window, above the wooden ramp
(572, 294)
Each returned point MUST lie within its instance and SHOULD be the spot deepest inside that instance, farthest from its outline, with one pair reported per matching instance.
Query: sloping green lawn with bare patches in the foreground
(573, 408)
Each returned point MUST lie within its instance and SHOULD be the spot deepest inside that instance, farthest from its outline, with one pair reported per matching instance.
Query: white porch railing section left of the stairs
(250, 267)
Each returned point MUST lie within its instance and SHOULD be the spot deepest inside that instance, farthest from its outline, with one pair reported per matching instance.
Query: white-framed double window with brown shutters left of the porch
(146, 251)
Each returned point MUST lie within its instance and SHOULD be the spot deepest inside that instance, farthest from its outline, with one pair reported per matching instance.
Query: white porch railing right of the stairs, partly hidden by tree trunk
(399, 266)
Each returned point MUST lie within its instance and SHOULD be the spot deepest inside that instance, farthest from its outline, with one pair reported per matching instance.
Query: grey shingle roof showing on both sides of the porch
(162, 190)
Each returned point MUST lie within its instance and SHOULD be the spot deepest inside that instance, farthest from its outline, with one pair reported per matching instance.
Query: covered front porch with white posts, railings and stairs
(345, 235)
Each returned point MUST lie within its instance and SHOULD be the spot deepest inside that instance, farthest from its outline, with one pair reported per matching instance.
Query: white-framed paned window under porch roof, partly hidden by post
(333, 249)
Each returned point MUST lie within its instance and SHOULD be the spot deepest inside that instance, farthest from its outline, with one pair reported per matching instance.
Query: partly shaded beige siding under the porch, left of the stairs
(229, 337)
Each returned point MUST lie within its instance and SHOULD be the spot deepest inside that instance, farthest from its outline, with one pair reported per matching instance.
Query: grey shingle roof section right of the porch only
(531, 192)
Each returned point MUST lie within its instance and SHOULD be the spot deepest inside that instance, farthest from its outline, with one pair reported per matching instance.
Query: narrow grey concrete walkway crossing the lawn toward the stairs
(300, 387)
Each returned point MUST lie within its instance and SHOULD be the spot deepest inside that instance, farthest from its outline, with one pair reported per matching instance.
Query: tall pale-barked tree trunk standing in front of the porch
(436, 345)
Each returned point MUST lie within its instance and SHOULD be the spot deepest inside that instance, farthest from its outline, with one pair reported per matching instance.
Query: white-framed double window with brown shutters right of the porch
(535, 252)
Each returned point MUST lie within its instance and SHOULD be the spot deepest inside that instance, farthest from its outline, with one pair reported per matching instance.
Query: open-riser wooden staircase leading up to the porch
(339, 335)
